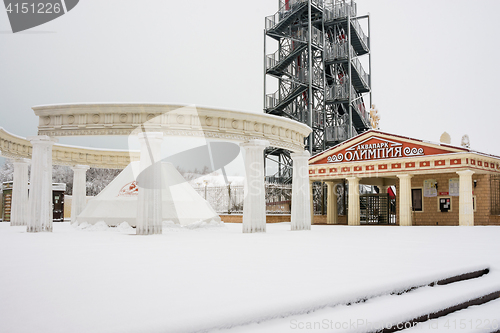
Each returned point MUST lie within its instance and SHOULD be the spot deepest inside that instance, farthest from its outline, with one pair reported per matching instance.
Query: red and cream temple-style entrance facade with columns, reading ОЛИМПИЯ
(382, 159)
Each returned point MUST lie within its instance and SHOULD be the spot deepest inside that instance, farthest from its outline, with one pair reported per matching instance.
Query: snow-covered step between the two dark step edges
(379, 314)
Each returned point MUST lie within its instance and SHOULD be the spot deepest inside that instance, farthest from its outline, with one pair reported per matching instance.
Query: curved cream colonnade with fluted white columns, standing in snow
(254, 131)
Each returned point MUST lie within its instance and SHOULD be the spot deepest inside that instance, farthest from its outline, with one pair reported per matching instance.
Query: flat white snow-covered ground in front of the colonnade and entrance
(211, 277)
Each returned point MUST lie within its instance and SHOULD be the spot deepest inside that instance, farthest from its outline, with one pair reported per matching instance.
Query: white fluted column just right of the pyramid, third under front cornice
(254, 205)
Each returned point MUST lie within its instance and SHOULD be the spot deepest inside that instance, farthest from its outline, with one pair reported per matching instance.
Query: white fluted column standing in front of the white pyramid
(149, 181)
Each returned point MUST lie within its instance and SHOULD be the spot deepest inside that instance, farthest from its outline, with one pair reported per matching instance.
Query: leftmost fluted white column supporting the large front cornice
(40, 197)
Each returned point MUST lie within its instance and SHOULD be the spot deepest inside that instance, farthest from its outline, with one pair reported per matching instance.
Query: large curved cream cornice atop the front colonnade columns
(172, 120)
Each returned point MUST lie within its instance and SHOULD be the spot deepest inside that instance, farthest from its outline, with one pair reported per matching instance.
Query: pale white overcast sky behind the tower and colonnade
(435, 63)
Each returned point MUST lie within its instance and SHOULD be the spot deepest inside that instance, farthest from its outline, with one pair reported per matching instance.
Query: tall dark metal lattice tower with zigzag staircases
(316, 67)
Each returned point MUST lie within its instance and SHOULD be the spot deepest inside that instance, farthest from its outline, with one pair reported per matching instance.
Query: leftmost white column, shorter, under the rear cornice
(20, 206)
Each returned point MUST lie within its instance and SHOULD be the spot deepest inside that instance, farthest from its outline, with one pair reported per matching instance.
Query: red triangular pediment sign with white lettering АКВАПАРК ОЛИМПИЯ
(375, 148)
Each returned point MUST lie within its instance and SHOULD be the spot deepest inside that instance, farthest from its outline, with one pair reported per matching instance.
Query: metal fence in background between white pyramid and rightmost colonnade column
(229, 199)
